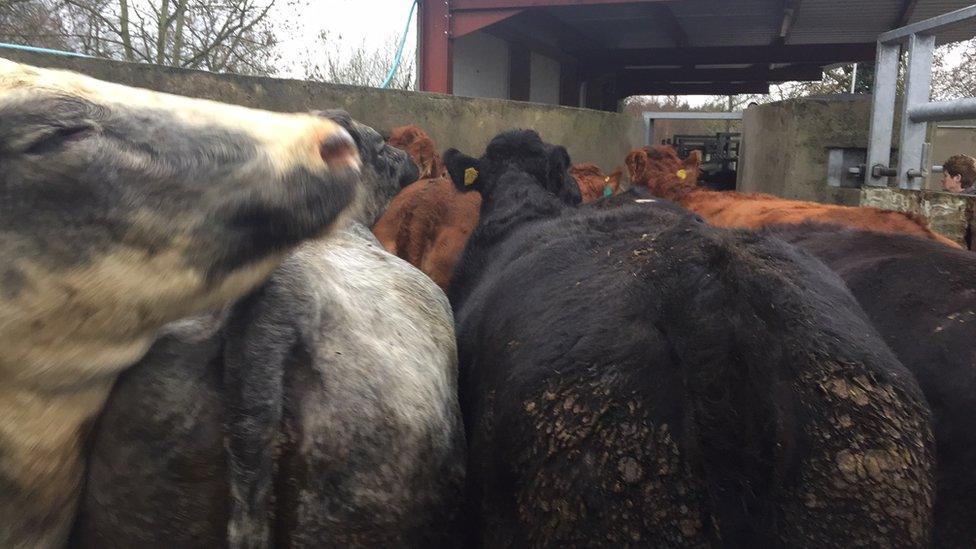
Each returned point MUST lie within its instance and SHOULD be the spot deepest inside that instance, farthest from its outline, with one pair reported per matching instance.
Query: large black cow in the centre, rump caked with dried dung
(632, 375)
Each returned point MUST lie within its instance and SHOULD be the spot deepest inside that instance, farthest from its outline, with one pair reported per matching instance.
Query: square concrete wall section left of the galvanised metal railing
(785, 146)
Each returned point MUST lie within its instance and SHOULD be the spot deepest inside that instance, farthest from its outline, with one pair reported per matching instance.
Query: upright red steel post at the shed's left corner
(436, 63)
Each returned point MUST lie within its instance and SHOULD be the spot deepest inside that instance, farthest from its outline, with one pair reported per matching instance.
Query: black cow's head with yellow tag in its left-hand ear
(521, 151)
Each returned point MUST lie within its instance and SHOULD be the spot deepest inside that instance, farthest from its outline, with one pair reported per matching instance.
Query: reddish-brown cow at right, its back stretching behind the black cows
(659, 169)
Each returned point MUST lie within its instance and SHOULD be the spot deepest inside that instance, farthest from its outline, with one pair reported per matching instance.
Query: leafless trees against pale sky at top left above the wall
(229, 35)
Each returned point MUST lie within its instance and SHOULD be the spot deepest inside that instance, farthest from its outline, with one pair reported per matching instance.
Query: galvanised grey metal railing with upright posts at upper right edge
(917, 110)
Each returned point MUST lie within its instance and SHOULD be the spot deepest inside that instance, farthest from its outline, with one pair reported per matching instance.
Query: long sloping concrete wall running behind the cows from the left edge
(467, 124)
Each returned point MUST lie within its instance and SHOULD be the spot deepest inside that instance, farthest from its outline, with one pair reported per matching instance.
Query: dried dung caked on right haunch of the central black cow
(870, 464)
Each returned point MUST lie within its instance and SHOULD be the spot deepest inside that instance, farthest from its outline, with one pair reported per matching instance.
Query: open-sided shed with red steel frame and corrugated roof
(593, 53)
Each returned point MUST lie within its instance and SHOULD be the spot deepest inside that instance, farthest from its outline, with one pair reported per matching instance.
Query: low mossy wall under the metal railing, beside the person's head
(949, 214)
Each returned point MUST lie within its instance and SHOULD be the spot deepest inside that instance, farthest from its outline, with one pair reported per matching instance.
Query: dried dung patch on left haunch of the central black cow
(612, 446)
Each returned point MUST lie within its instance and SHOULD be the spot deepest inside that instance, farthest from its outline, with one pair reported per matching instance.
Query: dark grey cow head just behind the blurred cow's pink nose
(386, 169)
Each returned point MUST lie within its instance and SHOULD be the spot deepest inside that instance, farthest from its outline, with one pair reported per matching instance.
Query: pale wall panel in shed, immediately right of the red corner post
(481, 66)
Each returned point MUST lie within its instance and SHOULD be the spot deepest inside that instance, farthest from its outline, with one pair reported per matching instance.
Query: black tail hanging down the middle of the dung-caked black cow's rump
(731, 365)
